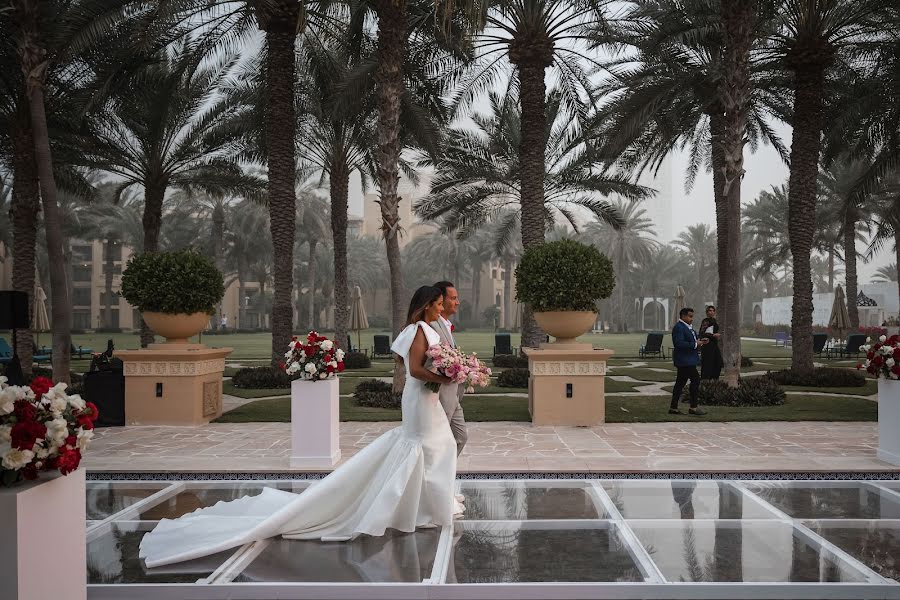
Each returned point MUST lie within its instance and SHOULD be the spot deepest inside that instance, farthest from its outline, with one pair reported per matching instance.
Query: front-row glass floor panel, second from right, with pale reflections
(718, 551)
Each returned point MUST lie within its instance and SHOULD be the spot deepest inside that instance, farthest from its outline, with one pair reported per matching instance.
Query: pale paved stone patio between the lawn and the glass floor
(514, 447)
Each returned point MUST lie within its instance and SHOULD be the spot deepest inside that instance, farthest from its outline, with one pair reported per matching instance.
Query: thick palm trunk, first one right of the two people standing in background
(806, 146)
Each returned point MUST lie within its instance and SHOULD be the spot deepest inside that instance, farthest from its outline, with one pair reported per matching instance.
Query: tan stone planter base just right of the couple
(566, 386)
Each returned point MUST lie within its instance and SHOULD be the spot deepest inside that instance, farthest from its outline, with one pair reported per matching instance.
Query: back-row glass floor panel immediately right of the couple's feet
(518, 500)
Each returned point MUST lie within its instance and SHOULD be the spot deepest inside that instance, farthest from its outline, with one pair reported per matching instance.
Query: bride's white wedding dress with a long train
(403, 480)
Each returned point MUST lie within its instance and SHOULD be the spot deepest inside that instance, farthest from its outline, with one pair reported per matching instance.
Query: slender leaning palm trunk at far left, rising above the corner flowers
(33, 57)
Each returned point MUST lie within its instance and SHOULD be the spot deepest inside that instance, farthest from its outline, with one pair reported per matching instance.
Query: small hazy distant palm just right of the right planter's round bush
(632, 243)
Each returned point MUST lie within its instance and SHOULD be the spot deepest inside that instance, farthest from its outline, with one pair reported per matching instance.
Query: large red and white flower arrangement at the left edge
(42, 428)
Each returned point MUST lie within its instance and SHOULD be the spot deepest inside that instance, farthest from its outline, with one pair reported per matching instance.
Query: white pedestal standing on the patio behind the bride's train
(315, 424)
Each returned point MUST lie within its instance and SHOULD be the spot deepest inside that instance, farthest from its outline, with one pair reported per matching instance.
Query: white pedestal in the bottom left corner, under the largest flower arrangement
(43, 546)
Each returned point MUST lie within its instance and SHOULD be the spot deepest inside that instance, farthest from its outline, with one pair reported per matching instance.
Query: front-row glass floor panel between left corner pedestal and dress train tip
(112, 557)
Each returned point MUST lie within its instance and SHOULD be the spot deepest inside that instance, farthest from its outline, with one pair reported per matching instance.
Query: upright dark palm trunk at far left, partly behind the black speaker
(24, 213)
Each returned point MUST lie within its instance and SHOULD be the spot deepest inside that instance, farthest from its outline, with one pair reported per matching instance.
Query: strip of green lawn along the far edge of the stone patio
(638, 409)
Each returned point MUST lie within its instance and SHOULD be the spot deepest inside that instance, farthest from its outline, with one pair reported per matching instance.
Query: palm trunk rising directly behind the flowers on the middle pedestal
(340, 185)
